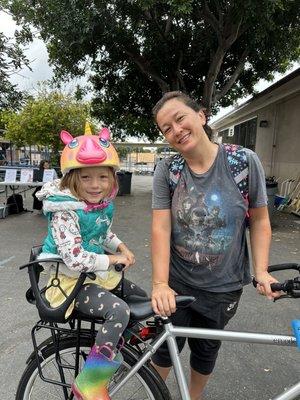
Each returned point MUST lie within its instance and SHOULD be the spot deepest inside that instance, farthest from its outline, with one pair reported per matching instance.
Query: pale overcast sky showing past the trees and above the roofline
(37, 54)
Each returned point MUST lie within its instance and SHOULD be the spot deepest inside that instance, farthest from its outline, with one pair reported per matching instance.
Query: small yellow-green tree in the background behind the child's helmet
(42, 119)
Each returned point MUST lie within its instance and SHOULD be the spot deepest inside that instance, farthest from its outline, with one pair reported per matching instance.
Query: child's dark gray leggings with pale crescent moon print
(93, 300)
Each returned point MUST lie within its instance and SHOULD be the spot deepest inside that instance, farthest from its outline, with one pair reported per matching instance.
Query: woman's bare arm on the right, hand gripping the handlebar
(260, 238)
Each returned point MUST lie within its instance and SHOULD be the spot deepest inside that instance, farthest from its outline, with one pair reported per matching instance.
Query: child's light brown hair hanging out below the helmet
(71, 181)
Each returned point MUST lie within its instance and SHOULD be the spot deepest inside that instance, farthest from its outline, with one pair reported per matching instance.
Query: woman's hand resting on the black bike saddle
(163, 299)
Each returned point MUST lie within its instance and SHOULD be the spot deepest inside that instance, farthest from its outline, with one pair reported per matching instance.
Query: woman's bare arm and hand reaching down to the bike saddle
(163, 297)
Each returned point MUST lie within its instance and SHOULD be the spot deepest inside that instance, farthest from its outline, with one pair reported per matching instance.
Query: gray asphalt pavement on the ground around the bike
(243, 371)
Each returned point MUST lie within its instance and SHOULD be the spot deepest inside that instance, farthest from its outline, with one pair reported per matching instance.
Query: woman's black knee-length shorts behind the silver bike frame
(210, 310)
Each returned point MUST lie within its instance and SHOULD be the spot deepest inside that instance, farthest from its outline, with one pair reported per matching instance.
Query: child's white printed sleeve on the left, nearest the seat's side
(66, 234)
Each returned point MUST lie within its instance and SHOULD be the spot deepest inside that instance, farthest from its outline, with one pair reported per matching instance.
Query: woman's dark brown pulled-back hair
(185, 99)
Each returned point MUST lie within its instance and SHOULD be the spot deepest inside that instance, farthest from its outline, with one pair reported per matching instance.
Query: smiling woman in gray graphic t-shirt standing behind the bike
(210, 264)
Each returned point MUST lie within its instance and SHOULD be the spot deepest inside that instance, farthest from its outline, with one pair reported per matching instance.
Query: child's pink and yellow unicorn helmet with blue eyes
(88, 151)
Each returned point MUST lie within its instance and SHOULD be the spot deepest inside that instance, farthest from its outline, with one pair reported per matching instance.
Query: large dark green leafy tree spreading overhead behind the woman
(215, 50)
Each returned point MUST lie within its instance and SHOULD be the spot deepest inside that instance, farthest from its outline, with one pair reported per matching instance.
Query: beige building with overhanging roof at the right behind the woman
(269, 124)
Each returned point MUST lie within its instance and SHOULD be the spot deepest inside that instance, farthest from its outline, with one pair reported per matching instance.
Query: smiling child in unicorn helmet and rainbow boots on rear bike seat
(79, 209)
